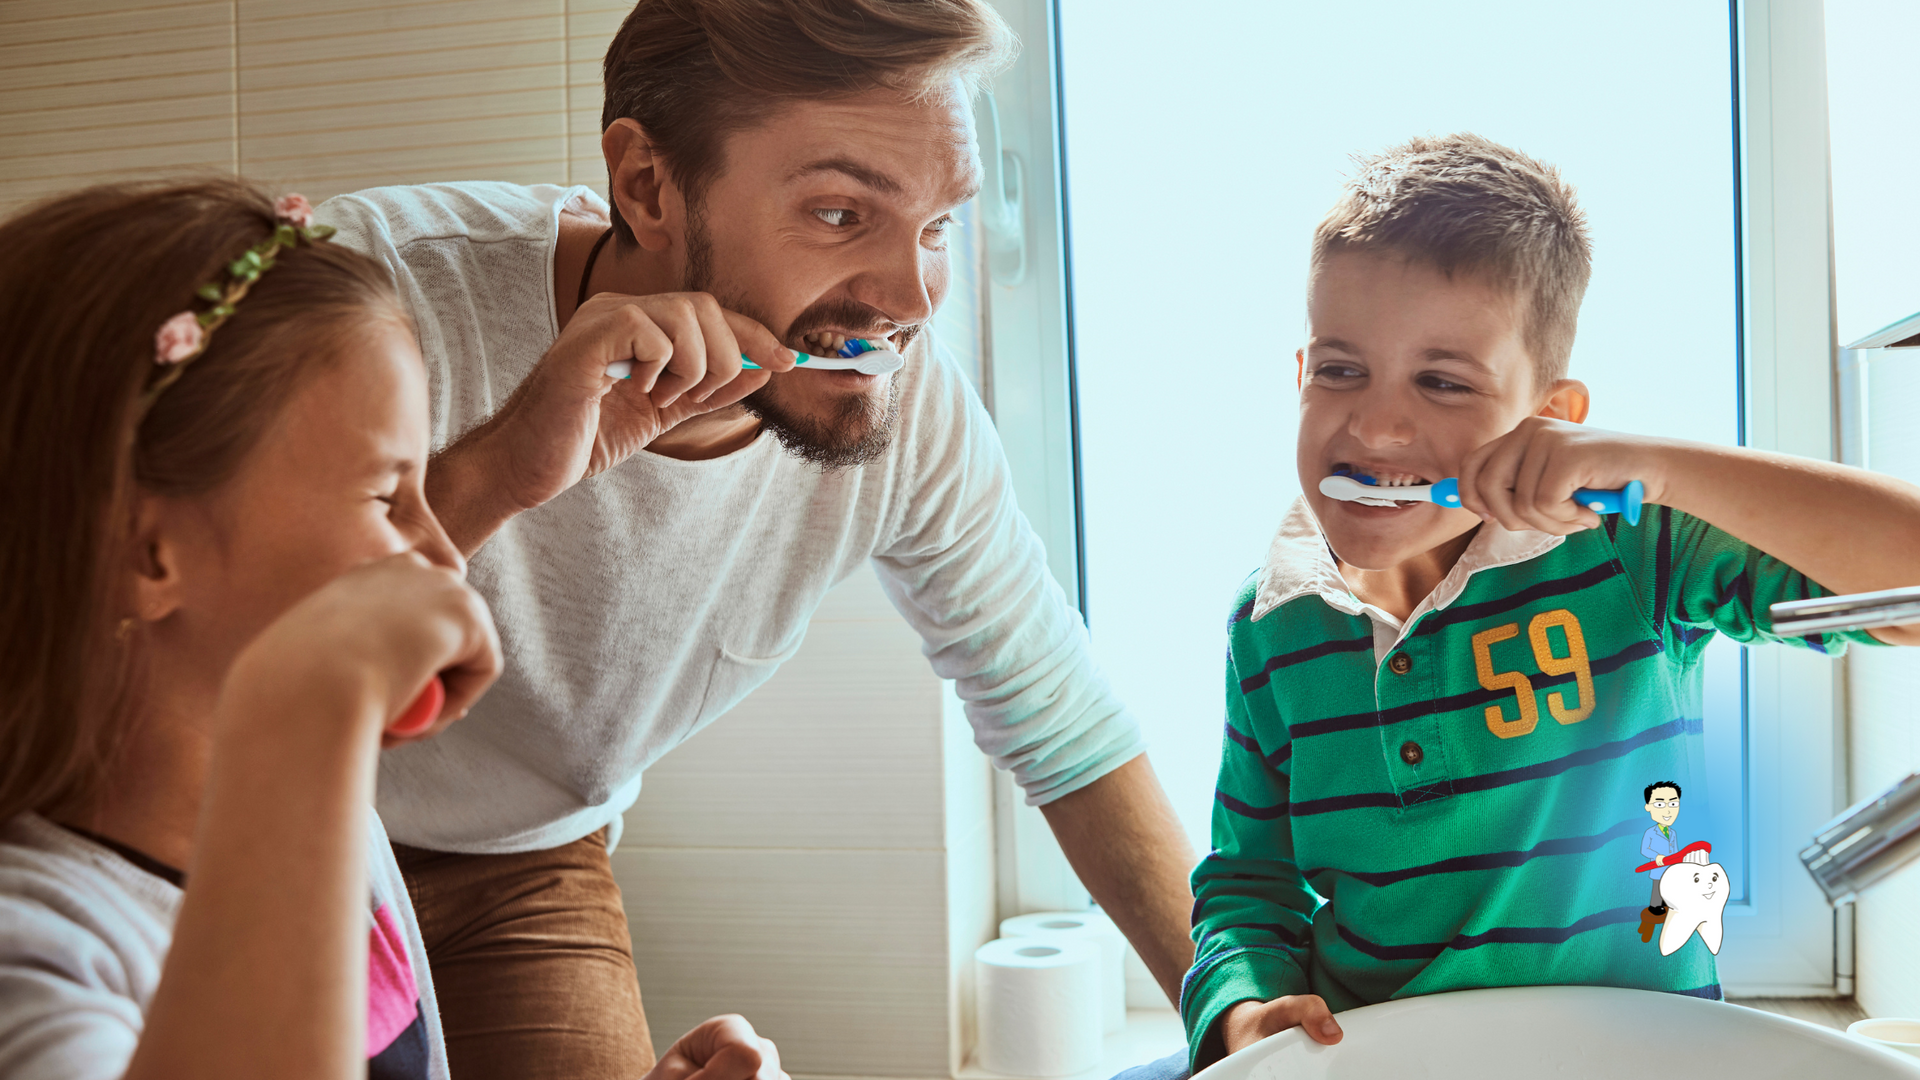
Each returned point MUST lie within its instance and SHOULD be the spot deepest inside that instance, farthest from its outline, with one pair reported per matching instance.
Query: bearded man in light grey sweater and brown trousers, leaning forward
(782, 178)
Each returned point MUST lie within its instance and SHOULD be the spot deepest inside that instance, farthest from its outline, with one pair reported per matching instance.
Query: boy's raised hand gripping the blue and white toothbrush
(1525, 479)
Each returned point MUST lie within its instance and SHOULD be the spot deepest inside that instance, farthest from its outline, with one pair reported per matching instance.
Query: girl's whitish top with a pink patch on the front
(85, 933)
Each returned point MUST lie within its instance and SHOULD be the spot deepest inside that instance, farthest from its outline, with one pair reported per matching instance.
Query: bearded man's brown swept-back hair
(696, 72)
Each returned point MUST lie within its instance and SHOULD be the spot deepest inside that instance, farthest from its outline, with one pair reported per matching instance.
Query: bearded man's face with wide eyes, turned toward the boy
(832, 222)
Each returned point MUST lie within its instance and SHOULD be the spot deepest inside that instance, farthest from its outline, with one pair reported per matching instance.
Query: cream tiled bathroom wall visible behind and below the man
(823, 858)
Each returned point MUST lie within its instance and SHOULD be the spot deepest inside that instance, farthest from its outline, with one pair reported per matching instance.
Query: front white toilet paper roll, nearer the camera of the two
(1040, 1006)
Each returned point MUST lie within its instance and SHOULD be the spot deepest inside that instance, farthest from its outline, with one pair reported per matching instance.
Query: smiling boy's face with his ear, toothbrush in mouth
(1404, 374)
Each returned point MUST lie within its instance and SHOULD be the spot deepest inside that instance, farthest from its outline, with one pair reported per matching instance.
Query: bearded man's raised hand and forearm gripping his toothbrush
(569, 420)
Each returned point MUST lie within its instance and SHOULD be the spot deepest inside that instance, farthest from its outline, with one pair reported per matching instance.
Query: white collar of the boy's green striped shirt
(1301, 564)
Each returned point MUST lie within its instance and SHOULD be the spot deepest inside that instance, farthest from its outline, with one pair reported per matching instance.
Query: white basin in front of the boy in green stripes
(1564, 1033)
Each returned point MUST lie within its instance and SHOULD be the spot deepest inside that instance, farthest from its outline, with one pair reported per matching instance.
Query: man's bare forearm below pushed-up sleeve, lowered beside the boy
(1130, 852)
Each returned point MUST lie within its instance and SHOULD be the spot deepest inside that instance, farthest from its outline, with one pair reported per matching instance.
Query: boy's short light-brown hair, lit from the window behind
(1466, 205)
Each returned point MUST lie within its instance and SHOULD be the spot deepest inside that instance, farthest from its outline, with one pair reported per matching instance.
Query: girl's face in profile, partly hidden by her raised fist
(333, 483)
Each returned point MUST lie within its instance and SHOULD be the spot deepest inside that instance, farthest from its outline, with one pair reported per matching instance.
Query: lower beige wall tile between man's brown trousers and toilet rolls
(836, 956)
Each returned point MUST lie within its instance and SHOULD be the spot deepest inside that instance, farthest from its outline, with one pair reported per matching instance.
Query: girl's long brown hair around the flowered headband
(85, 285)
